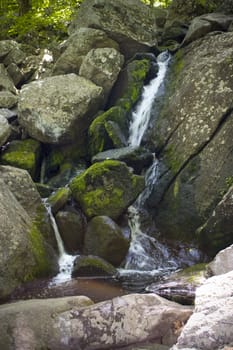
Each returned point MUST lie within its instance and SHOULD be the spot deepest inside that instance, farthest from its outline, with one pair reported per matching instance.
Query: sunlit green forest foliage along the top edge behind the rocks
(41, 22)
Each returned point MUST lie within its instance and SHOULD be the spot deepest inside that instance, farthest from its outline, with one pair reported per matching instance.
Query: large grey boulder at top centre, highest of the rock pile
(132, 24)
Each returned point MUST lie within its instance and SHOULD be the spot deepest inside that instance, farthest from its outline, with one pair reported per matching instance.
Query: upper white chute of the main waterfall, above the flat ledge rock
(141, 115)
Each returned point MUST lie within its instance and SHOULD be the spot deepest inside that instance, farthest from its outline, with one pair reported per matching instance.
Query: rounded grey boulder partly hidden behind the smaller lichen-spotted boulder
(77, 46)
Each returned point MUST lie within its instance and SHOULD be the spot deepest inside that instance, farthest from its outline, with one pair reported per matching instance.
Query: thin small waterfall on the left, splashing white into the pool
(65, 261)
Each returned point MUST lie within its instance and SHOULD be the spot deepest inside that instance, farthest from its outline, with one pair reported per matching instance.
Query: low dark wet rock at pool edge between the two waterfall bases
(85, 266)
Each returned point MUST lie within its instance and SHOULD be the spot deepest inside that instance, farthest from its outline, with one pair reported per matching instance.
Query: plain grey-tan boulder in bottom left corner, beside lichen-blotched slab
(28, 331)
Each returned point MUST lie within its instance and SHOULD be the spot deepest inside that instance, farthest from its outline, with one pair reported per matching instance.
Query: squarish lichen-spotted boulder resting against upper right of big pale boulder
(102, 67)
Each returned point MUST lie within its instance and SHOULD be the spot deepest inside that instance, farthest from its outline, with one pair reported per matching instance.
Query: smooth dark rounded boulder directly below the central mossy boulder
(105, 239)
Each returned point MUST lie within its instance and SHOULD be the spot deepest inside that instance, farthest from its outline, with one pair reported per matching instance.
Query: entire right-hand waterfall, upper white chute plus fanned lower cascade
(146, 256)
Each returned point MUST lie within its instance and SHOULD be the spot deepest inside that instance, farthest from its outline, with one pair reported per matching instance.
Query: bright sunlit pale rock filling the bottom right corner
(210, 326)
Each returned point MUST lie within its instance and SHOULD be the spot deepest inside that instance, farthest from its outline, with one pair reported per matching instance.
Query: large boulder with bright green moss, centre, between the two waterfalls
(106, 188)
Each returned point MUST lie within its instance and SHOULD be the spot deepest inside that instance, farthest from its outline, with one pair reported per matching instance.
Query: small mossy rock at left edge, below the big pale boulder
(24, 154)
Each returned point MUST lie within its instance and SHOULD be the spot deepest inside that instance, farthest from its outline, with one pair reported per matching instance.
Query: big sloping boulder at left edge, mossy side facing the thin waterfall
(23, 254)
